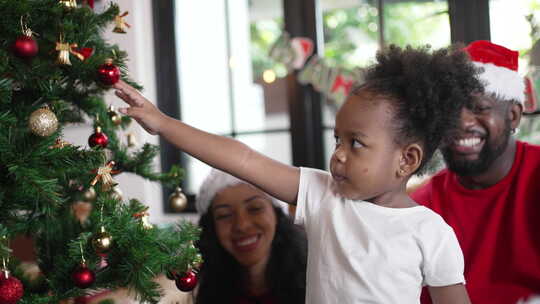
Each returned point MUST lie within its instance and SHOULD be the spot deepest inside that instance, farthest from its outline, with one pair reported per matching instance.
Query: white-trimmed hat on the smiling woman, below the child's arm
(215, 182)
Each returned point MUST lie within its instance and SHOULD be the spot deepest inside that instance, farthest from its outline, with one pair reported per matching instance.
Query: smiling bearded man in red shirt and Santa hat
(490, 193)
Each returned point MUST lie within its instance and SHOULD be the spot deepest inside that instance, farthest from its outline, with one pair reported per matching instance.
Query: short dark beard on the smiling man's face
(489, 153)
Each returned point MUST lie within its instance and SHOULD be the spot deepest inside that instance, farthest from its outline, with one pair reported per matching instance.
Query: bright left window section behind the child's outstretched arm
(223, 70)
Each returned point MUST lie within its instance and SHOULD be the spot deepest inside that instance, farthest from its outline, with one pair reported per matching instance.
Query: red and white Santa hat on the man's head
(500, 69)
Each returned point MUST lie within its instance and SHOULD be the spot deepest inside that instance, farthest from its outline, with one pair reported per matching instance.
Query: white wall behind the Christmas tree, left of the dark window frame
(139, 43)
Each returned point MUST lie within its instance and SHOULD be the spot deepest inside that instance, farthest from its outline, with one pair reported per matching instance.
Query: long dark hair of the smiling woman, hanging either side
(221, 275)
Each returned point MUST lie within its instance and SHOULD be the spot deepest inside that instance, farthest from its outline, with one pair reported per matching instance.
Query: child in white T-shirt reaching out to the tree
(368, 242)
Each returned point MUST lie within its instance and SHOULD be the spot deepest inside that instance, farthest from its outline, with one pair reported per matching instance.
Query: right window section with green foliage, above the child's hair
(355, 30)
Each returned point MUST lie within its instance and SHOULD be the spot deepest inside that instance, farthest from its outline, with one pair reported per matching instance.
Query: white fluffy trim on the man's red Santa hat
(503, 82)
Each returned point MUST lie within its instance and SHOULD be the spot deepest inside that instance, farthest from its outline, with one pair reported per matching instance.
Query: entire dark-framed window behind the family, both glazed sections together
(225, 82)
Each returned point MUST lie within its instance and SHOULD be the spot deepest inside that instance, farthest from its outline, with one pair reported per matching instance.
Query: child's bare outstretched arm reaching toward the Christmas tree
(221, 152)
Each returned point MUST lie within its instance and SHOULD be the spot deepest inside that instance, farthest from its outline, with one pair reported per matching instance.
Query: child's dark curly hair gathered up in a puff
(427, 91)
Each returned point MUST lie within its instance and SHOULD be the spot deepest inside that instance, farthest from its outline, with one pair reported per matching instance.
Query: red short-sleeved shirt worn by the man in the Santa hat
(498, 228)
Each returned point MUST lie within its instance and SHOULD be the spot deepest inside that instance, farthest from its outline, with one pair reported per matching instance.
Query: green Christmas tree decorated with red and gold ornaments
(54, 70)
